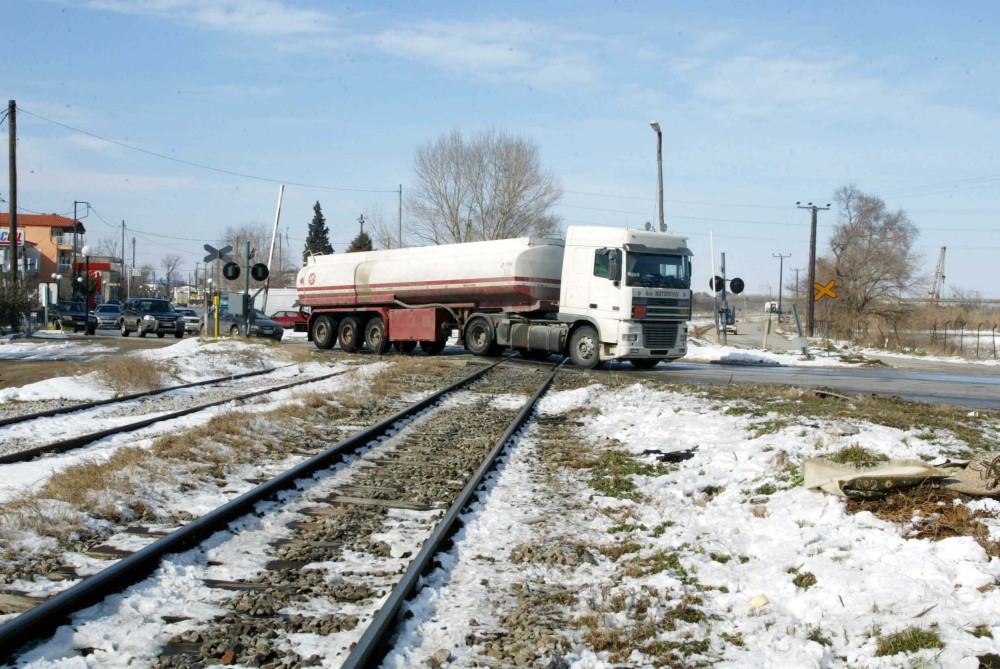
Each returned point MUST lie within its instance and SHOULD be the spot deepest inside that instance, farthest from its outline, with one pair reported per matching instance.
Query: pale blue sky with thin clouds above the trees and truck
(762, 105)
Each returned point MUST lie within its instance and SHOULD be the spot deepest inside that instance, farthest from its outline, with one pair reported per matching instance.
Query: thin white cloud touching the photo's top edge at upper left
(256, 17)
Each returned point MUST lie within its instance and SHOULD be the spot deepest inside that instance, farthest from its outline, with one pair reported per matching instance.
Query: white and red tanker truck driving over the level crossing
(601, 294)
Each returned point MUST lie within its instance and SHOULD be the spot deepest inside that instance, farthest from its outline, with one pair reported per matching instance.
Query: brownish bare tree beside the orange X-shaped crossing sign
(873, 262)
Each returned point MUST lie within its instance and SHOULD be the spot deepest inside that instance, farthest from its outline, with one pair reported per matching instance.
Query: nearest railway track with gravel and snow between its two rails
(321, 530)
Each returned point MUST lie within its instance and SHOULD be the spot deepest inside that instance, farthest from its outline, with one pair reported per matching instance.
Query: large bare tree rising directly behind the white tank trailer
(490, 187)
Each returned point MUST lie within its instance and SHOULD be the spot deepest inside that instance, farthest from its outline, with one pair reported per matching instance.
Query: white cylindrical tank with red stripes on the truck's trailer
(519, 274)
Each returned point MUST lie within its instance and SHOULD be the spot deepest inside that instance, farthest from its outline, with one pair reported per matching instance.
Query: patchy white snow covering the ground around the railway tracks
(742, 547)
